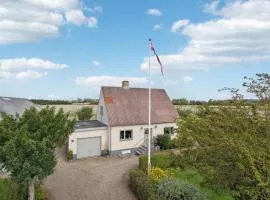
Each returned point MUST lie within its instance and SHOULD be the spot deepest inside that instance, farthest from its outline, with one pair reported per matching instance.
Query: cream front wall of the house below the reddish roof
(138, 135)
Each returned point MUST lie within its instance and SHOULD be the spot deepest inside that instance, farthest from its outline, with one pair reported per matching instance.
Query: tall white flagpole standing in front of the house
(149, 113)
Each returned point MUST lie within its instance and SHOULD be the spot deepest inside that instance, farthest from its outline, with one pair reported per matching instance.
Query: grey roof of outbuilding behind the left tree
(13, 106)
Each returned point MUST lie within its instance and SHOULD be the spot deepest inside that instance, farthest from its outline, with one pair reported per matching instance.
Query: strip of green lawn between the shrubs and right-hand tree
(193, 177)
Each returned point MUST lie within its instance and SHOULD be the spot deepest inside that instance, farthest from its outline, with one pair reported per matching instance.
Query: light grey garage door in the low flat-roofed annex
(87, 147)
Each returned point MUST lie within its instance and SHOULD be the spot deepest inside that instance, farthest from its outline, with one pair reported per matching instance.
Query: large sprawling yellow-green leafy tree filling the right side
(233, 142)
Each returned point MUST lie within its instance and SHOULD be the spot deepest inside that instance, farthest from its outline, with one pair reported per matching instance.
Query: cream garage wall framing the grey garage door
(87, 133)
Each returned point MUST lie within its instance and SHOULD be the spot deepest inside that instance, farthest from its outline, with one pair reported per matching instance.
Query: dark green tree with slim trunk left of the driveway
(28, 143)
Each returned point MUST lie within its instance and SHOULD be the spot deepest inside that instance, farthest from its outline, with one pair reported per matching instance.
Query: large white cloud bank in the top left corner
(40, 19)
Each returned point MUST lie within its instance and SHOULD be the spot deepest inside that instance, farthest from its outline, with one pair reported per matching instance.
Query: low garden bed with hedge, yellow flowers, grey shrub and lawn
(170, 179)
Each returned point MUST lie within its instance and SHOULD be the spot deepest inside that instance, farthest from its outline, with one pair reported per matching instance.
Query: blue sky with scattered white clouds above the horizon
(67, 49)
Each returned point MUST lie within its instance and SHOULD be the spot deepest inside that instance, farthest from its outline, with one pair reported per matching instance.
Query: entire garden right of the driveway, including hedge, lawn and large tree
(219, 152)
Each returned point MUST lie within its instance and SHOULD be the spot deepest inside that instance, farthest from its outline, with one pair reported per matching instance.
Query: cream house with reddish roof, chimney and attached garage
(122, 121)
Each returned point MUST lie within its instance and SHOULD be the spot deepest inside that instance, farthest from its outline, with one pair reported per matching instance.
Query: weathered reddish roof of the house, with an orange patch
(130, 106)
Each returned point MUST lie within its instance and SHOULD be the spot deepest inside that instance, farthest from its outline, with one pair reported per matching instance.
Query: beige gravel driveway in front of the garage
(94, 178)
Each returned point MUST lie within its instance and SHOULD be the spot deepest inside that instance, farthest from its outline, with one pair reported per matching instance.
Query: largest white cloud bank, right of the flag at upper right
(240, 35)
